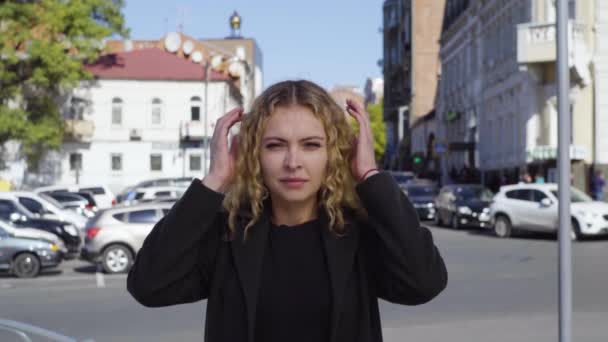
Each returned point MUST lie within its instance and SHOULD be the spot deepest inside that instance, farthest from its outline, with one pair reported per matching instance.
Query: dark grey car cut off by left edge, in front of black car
(25, 257)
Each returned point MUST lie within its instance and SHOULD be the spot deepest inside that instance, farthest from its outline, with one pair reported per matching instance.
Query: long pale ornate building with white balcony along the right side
(497, 104)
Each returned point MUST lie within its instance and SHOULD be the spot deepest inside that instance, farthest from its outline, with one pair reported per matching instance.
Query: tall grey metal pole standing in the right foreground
(565, 243)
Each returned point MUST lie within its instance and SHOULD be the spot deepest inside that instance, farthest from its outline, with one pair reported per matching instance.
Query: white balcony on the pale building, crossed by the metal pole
(536, 42)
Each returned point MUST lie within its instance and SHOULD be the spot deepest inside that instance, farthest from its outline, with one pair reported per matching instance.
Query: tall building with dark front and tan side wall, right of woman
(410, 67)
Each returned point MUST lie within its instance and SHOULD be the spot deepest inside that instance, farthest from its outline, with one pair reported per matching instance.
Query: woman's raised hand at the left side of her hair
(223, 159)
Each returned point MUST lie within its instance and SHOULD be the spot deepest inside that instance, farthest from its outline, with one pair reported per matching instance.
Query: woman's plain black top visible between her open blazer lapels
(294, 300)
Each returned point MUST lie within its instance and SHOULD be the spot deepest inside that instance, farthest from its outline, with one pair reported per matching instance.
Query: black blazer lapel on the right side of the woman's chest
(340, 253)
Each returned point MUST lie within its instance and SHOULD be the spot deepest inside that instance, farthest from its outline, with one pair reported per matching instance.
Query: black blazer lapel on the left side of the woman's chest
(248, 258)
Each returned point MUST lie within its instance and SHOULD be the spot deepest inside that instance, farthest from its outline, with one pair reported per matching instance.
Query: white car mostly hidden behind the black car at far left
(48, 208)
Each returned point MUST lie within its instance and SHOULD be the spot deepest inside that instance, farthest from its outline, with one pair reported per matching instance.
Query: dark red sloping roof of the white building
(150, 64)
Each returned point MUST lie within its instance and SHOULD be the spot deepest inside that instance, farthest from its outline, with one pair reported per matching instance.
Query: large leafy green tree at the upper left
(43, 47)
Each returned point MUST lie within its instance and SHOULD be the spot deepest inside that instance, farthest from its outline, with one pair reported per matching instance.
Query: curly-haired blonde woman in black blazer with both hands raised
(294, 233)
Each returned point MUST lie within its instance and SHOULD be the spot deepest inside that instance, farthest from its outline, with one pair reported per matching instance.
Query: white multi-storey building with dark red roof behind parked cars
(148, 114)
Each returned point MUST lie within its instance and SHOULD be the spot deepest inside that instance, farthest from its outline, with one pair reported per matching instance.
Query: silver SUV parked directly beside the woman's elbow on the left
(115, 235)
